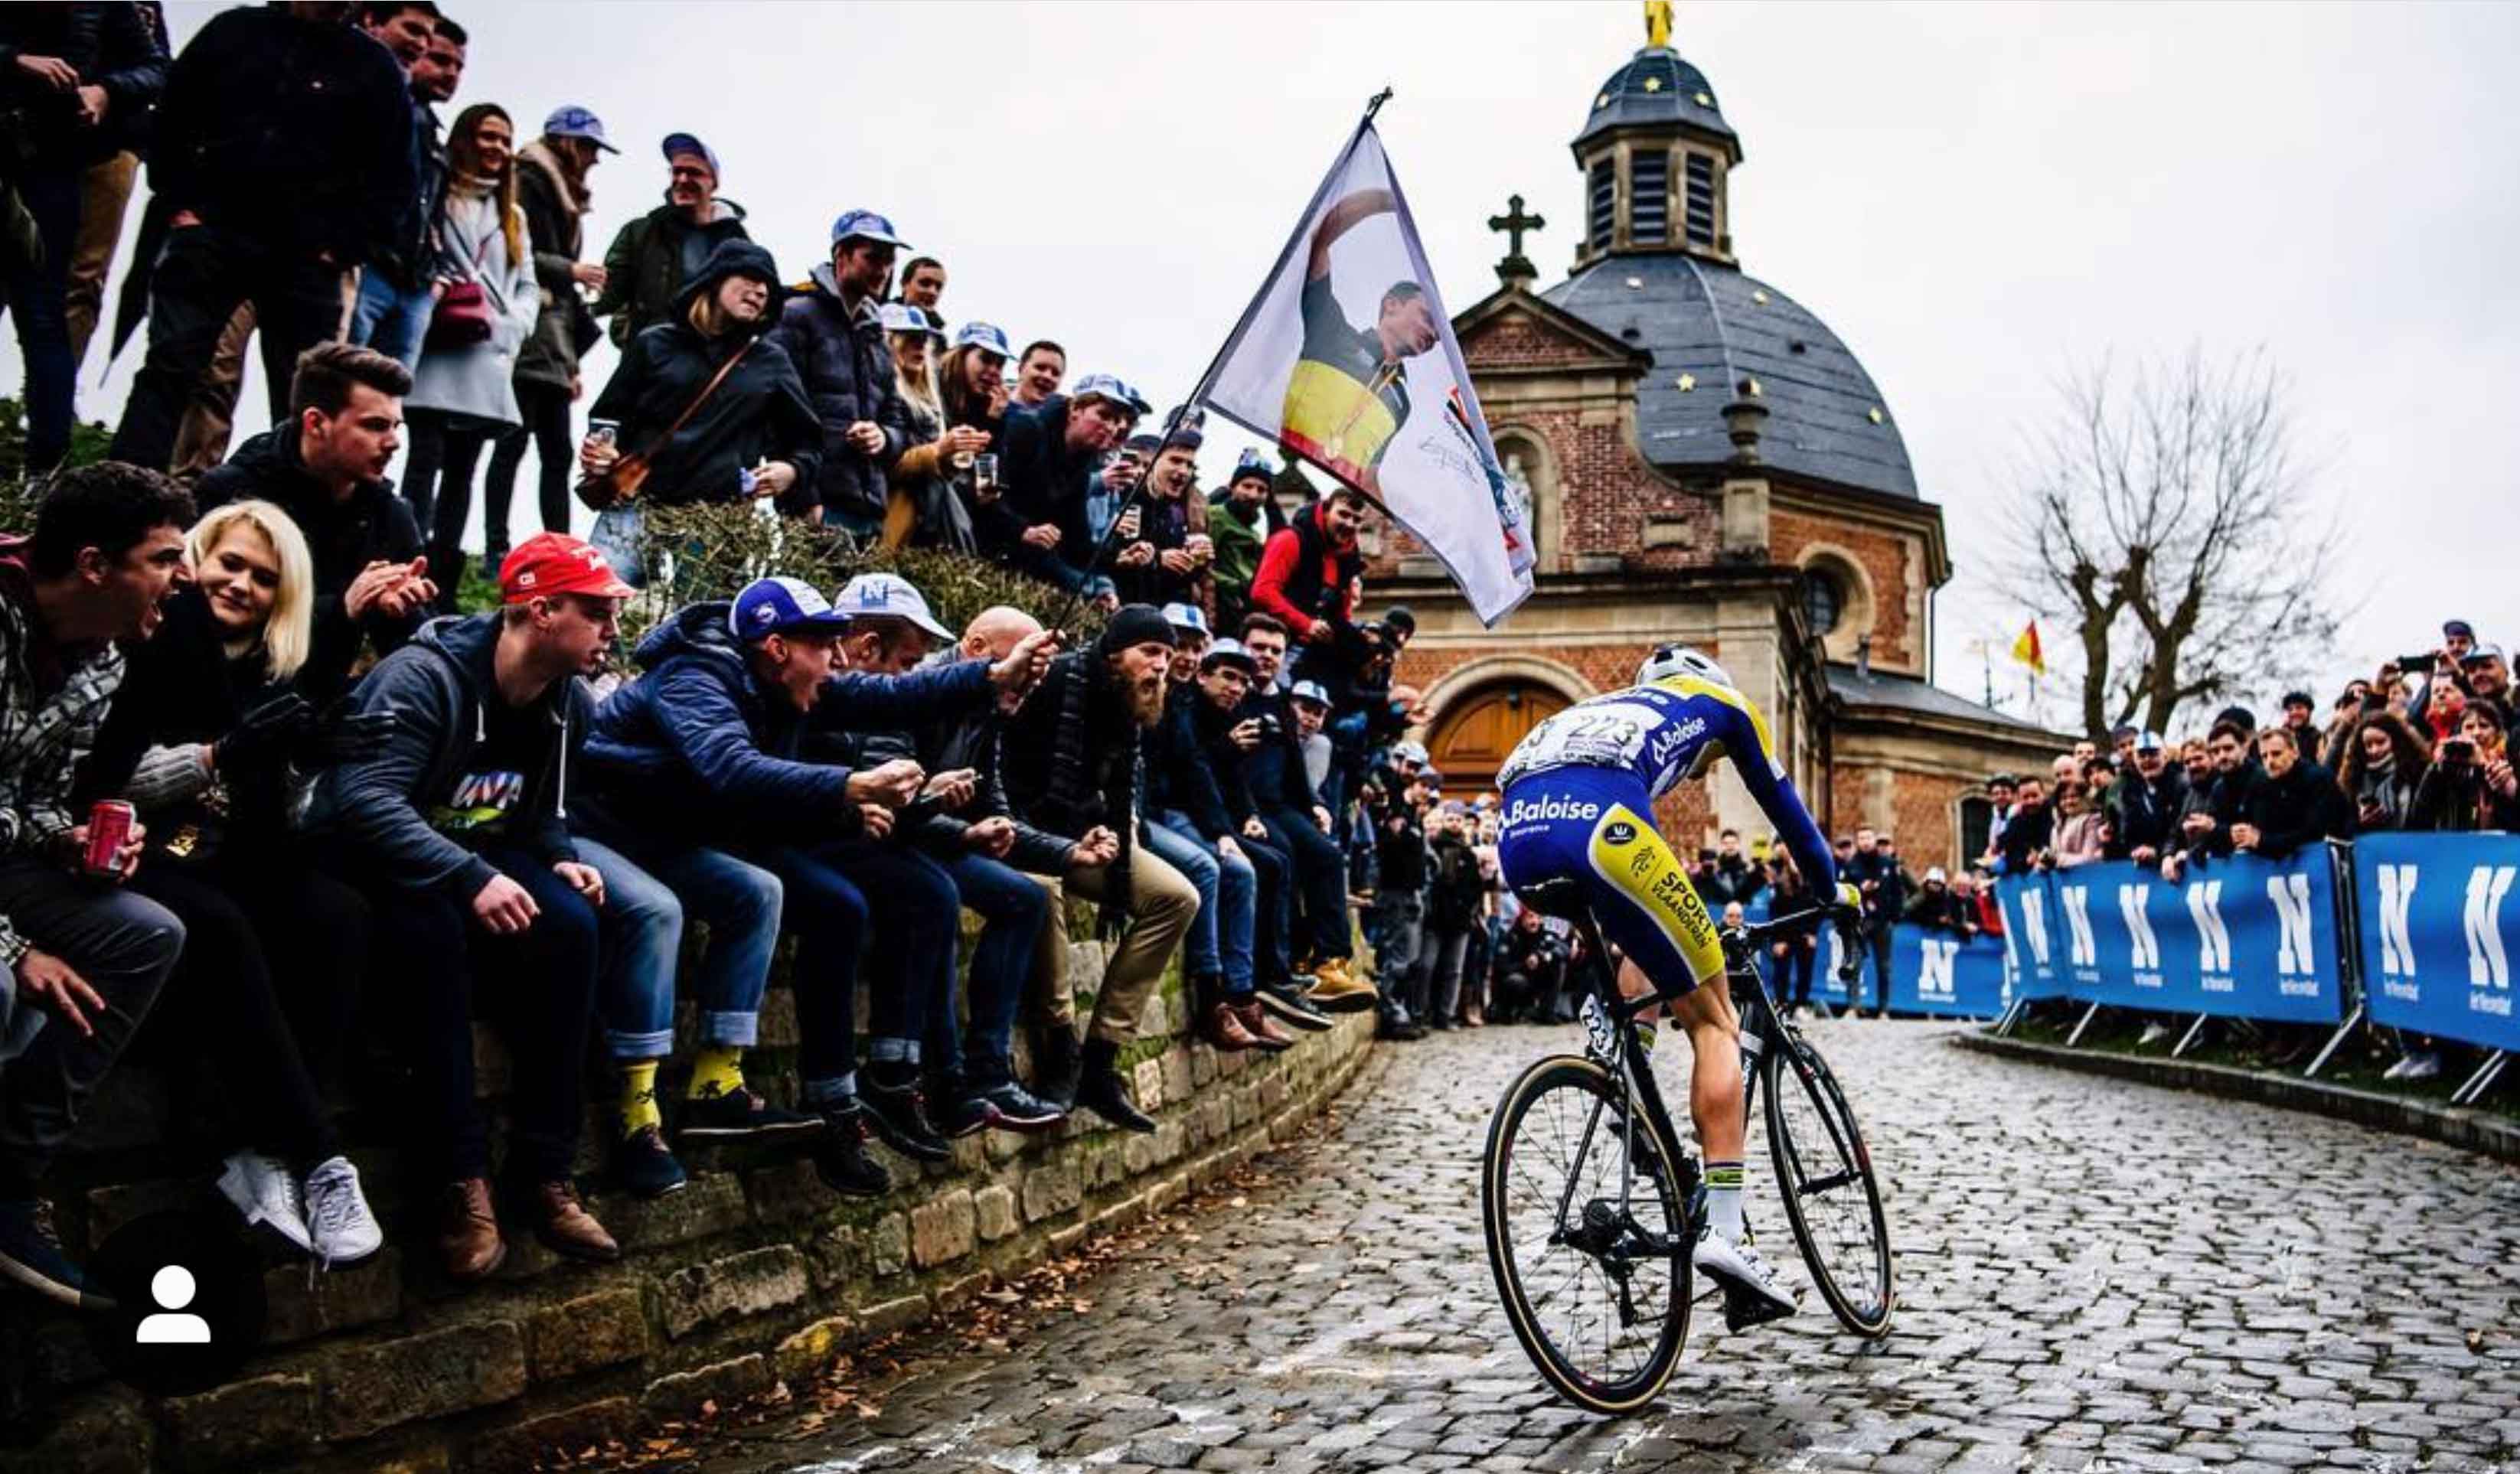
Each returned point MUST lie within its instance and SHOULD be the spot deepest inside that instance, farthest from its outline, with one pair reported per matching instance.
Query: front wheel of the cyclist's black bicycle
(1828, 1188)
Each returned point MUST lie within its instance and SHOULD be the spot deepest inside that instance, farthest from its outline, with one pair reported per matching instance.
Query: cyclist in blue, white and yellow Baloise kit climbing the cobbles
(1579, 805)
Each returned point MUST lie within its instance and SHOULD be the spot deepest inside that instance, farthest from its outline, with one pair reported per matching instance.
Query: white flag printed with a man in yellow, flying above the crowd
(1347, 359)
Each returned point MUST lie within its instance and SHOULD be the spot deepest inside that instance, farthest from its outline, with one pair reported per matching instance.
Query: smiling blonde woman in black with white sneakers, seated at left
(208, 740)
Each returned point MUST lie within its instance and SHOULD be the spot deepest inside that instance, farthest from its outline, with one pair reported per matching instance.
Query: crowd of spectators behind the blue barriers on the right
(2418, 747)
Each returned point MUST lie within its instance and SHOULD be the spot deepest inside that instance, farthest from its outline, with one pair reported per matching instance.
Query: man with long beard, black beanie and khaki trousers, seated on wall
(1072, 767)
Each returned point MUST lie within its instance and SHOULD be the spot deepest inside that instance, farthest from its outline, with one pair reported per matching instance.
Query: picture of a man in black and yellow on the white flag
(1349, 392)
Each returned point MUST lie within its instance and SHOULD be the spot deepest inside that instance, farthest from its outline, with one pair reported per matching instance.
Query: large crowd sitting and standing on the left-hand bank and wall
(357, 815)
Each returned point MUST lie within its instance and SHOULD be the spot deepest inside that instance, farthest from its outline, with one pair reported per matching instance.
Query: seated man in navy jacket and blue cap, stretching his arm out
(707, 750)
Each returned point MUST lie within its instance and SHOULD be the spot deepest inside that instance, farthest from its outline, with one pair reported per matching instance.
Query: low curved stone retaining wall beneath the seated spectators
(750, 1276)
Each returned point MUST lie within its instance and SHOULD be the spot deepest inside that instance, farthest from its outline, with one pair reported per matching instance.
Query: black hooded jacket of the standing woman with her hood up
(760, 414)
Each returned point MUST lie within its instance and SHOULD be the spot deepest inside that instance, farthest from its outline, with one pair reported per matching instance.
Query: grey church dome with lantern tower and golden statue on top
(1657, 271)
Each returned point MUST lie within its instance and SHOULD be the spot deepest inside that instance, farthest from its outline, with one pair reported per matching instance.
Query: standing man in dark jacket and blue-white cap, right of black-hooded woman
(838, 339)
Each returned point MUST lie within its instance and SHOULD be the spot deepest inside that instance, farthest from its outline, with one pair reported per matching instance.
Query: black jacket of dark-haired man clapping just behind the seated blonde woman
(372, 525)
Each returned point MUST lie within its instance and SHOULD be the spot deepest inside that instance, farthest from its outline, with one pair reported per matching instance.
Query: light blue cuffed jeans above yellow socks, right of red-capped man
(646, 901)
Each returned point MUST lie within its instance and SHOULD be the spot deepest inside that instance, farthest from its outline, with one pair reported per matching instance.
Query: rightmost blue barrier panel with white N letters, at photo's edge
(2441, 934)
